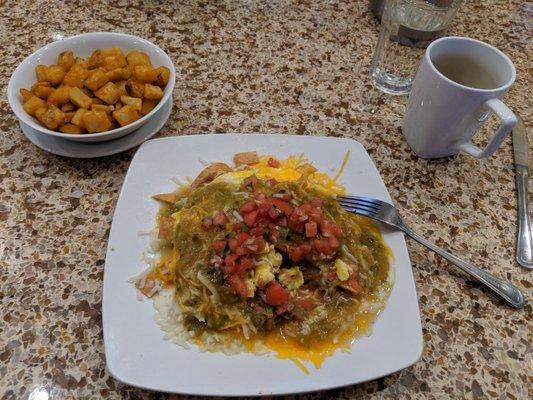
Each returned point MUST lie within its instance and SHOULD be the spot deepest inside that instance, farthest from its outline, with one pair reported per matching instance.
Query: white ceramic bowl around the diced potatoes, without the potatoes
(82, 46)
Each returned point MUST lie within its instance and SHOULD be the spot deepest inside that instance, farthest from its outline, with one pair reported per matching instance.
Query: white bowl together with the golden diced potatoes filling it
(92, 87)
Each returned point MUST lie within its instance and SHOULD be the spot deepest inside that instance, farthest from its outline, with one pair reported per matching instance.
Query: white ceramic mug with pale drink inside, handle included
(456, 89)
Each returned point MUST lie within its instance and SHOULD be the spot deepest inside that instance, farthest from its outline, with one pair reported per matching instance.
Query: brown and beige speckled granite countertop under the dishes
(275, 66)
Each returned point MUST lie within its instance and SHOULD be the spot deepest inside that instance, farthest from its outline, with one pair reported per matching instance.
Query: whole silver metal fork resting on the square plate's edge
(386, 213)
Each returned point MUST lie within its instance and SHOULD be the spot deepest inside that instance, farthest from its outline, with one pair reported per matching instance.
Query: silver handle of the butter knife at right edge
(524, 245)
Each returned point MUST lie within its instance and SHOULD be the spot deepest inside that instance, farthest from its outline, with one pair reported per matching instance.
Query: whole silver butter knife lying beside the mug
(524, 244)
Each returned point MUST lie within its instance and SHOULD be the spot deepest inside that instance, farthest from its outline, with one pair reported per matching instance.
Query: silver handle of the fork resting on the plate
(506, 290)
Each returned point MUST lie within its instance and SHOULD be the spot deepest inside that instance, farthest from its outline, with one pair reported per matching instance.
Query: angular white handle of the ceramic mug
(507, 123)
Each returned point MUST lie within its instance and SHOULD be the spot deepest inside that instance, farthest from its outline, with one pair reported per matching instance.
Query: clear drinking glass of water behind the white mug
(407, 28)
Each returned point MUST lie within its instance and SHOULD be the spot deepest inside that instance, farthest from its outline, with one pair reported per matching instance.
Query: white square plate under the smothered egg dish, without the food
(136, 352)
